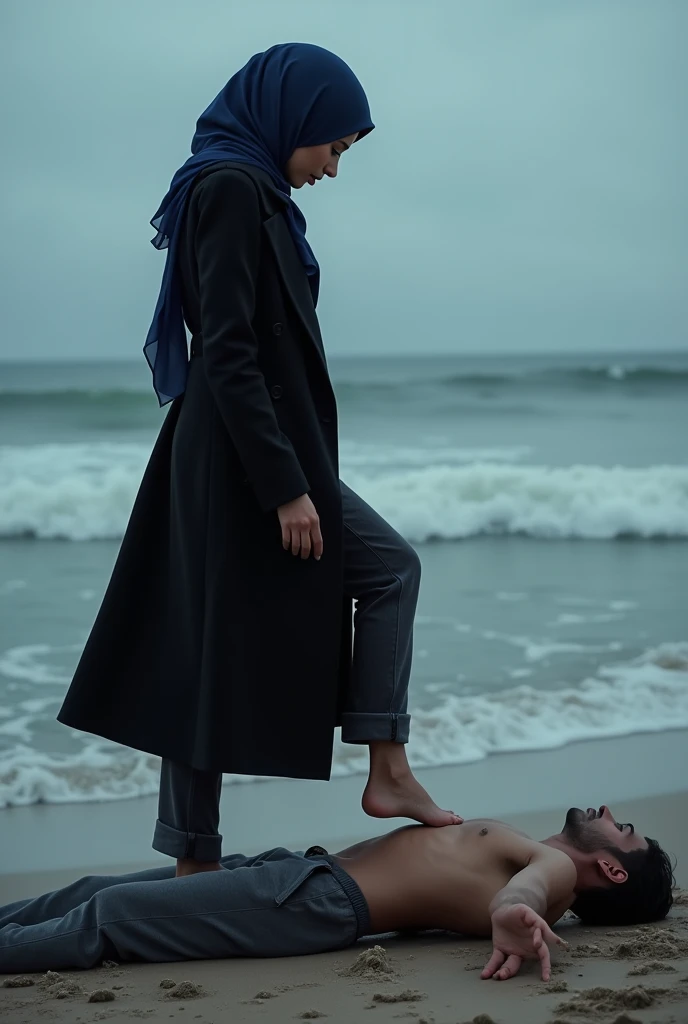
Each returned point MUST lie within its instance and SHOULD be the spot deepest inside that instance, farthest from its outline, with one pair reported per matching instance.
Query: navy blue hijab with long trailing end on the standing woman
(293, 95)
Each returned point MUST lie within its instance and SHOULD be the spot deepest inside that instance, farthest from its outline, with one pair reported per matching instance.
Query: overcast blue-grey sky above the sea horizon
(525, 189)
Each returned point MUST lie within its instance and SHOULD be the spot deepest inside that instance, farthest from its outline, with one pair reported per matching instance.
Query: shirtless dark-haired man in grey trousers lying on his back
(480, 878)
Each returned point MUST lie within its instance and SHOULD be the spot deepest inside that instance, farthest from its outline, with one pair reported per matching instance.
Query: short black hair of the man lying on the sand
(647, 894)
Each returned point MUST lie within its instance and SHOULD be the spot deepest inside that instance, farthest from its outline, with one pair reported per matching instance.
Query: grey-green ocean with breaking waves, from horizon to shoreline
(547, 496)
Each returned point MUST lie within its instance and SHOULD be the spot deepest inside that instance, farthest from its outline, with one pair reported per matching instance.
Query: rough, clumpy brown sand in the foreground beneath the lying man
(608, 975)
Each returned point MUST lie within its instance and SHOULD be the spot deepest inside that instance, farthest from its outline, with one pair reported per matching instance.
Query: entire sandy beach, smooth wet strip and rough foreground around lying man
(608, 975)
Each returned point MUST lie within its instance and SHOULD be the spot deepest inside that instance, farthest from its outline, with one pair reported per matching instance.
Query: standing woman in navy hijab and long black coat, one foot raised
(224, 644)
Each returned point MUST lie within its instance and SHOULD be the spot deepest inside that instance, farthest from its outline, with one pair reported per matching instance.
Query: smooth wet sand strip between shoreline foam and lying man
(75, 839)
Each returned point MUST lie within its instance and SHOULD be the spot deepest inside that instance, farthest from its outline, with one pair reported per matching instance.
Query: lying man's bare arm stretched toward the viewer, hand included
(520, 913)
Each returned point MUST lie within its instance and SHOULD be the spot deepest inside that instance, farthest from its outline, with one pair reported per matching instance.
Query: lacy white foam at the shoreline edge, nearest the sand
(648, 694)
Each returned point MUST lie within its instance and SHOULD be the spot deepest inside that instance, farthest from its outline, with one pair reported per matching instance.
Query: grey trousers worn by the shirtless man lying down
(277, 905)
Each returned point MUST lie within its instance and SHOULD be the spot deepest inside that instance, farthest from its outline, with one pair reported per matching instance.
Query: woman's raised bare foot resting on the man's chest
(394, 791)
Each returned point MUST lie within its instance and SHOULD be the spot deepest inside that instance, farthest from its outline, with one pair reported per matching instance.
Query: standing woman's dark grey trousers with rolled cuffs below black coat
(382, 574)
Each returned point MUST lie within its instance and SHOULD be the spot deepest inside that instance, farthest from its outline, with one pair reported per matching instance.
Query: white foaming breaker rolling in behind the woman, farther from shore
(87, 492)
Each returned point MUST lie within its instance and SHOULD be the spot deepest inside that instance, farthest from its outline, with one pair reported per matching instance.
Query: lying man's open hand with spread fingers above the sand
(519, 934)
